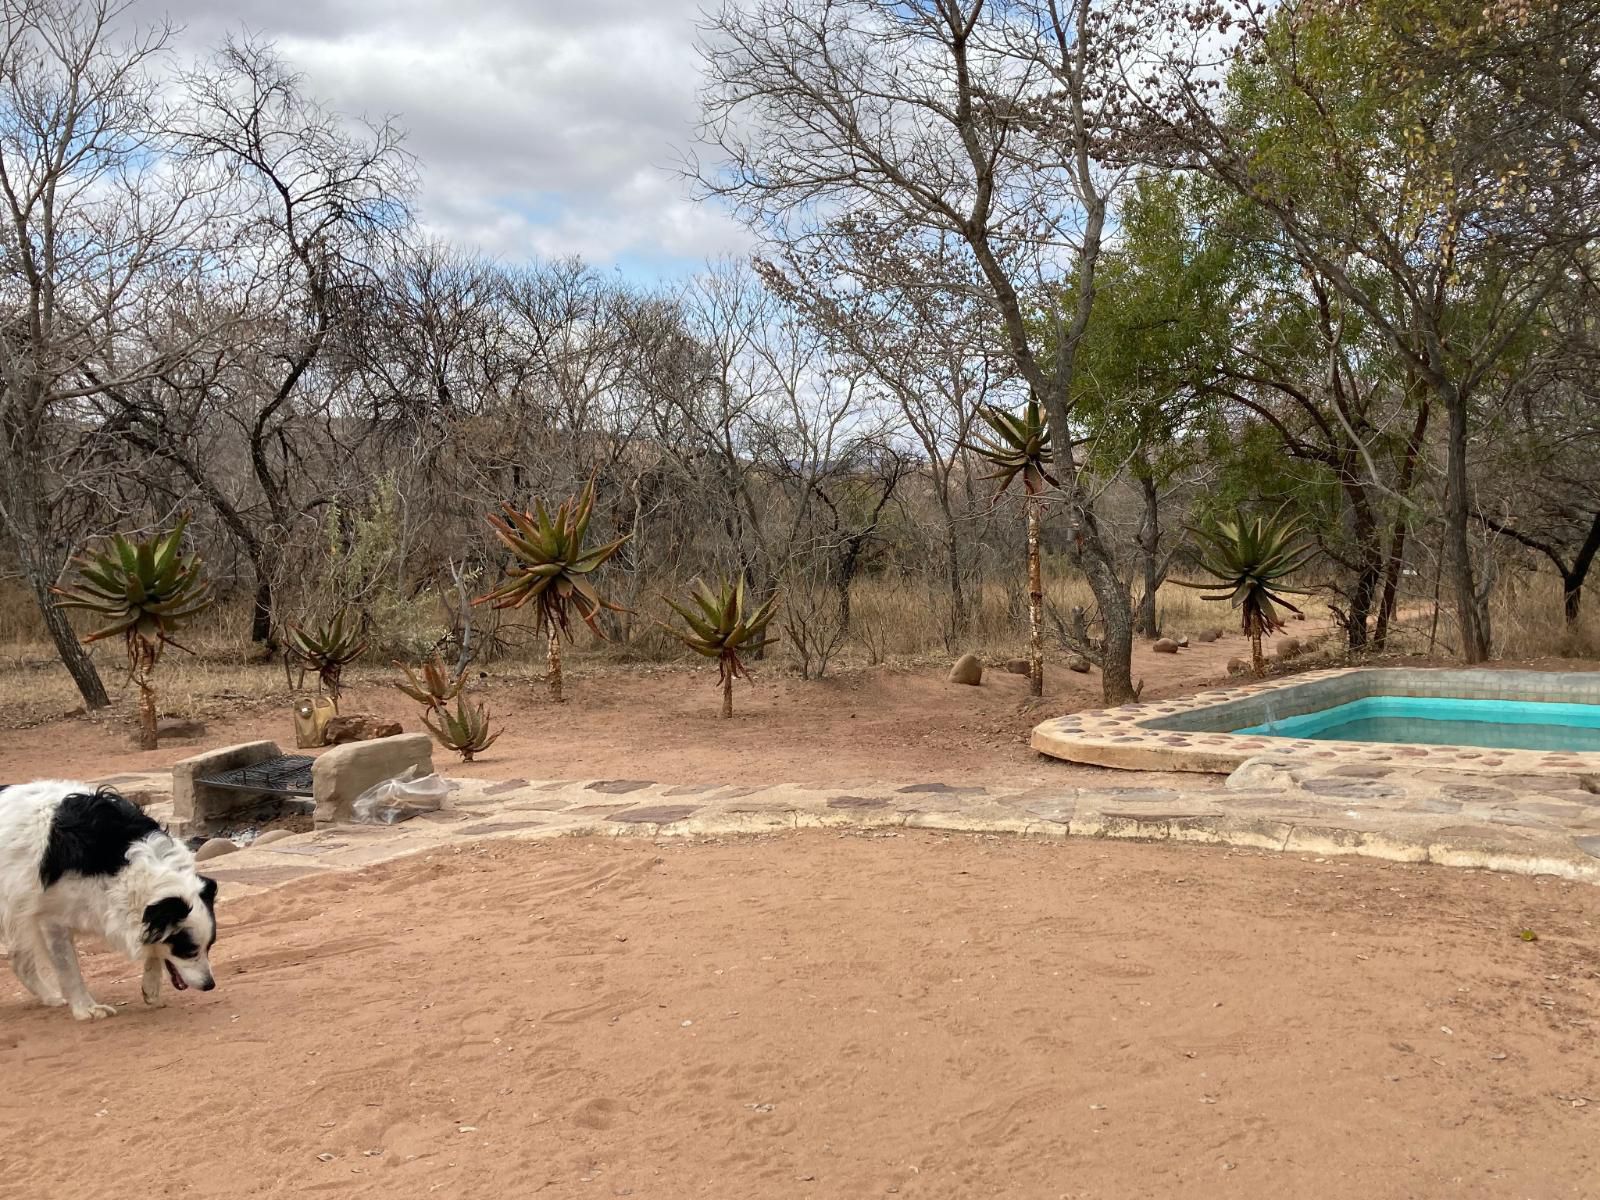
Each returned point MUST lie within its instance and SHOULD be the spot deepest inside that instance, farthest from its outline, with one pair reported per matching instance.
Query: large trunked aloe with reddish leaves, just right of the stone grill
(551, 570)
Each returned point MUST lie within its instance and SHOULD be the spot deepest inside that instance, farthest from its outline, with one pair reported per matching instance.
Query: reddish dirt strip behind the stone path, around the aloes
(662, 724)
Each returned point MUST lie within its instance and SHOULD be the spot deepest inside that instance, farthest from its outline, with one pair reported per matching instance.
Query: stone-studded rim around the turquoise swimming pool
(1188, 734)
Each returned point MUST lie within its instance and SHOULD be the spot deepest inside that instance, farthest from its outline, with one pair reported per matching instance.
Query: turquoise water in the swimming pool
(1503, 726)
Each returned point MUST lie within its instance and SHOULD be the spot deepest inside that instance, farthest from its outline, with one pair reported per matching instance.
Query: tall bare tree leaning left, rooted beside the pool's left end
(980, 119)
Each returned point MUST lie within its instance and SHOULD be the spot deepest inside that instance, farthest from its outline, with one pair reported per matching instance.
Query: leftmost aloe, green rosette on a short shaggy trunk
(146, 591)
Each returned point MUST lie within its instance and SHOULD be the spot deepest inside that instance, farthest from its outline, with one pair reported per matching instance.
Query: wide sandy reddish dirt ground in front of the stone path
(841, 1017)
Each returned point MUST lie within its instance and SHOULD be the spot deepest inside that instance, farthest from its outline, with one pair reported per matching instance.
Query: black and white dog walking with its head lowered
(84, 862)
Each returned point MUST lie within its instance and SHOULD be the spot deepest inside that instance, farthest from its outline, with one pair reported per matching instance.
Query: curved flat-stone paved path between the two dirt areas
(1502, 822)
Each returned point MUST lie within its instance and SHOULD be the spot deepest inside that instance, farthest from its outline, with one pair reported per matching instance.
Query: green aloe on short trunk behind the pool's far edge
(1250, 559)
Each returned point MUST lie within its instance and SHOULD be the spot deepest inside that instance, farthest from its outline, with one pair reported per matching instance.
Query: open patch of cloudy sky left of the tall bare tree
(545, 127)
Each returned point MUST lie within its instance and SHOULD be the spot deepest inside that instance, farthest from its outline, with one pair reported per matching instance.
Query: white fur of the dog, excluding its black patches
(39, 924)
